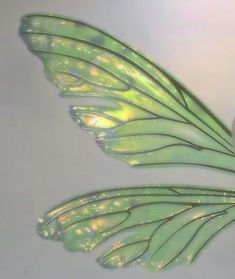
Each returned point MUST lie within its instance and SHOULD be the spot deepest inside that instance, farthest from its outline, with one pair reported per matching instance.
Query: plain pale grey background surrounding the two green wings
(45, 158)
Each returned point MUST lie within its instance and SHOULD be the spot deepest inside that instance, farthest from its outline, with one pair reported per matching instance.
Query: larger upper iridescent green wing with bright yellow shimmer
(152, 119)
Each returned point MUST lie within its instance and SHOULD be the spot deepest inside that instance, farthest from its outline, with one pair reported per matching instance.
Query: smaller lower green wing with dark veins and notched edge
(158, 227)
